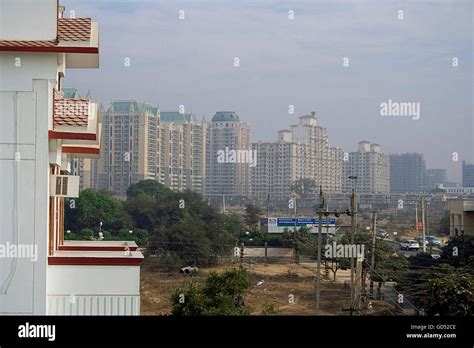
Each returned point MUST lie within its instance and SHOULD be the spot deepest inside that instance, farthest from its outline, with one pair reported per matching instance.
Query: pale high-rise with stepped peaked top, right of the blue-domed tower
(300, 153)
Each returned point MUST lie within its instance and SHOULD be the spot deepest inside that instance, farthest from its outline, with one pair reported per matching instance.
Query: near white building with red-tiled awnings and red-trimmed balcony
(40, 133)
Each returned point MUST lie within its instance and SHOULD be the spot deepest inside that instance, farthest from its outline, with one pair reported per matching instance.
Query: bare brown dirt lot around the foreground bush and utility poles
(290, 288)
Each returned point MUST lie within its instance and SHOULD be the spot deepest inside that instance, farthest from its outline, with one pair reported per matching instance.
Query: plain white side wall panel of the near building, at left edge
(24, 200)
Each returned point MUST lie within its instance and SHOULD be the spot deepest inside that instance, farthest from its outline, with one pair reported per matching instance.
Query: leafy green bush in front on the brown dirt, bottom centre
(222, 294)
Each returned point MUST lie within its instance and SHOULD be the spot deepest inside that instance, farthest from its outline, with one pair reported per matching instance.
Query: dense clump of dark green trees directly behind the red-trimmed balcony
(181, 227)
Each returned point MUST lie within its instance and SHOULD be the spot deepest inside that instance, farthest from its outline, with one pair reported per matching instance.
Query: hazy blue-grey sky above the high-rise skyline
(405, 57)
